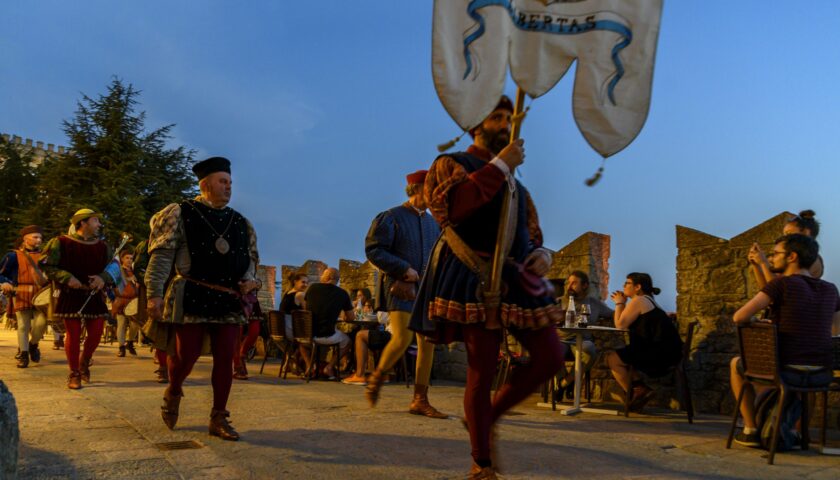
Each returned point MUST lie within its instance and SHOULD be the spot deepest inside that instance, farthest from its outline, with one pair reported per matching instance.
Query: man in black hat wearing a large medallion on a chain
(213, 249)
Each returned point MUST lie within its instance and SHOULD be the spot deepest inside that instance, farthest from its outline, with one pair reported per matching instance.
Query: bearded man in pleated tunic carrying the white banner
(465, 193)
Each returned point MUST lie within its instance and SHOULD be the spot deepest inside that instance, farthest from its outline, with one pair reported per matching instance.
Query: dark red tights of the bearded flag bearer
(546, 353)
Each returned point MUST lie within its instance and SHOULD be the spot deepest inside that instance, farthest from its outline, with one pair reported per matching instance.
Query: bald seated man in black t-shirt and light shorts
(326, 300)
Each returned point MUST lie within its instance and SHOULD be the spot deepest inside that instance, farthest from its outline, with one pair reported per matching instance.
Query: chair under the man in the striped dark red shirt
(759, 346)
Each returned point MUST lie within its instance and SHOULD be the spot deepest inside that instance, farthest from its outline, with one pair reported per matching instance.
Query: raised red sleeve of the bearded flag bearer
(453, 194)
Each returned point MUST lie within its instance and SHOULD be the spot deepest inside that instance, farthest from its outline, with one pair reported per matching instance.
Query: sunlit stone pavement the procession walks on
(112, 428)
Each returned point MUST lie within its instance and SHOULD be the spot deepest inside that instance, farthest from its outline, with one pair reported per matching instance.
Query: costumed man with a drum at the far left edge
(20, 279)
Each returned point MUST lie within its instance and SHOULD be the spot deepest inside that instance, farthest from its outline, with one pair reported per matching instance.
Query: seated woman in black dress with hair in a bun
(655, 344)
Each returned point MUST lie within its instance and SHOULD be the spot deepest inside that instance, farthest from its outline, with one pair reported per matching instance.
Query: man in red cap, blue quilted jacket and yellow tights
(398, 244)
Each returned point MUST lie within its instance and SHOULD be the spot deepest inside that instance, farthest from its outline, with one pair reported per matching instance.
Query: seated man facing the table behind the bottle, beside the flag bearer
(577, 286)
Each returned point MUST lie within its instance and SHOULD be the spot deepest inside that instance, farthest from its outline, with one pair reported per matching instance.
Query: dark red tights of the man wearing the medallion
(188, 342)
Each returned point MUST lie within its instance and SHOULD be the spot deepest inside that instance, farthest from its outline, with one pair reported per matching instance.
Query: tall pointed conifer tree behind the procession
(114, 166)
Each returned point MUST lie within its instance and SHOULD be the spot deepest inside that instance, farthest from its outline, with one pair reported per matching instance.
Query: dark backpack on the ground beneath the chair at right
(767, 409)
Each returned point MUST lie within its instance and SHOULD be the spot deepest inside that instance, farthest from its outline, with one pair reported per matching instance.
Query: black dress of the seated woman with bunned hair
(655, 345)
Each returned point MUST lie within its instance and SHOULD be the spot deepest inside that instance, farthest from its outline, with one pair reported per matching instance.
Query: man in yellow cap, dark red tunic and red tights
(76, 263)
